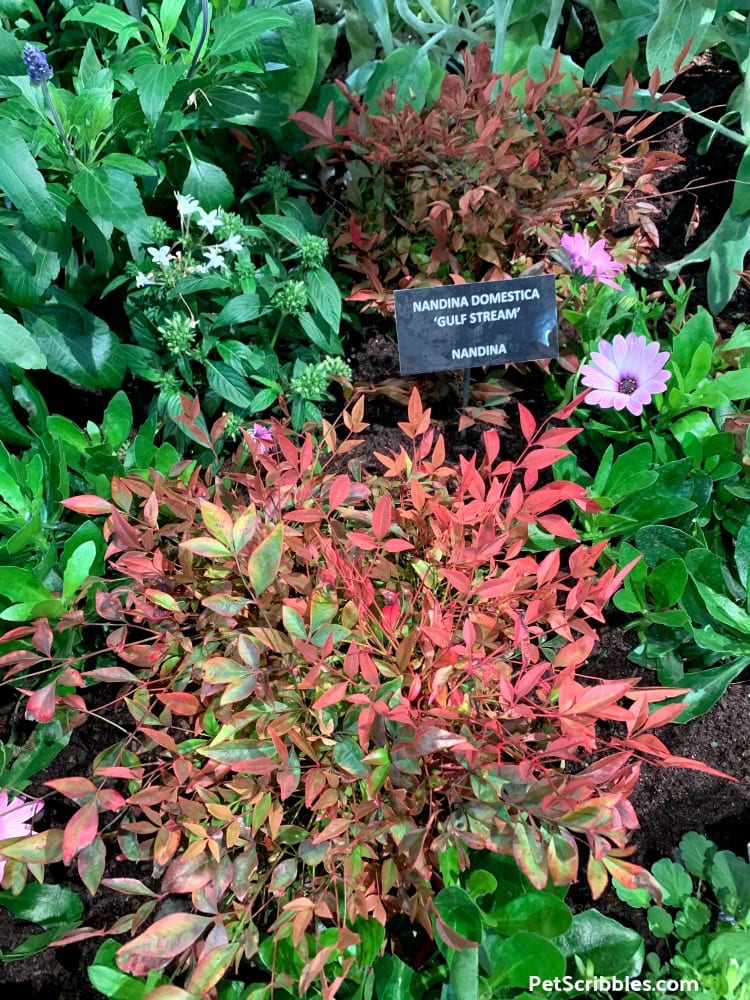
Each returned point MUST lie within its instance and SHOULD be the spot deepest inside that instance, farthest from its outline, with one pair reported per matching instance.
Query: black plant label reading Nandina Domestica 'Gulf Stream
(470, 326)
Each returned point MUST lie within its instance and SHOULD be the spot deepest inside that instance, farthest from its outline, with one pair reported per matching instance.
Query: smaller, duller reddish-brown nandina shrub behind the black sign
(479, 185)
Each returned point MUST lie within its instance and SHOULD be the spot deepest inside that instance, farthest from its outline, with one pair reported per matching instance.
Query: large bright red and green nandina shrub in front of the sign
(331, 679)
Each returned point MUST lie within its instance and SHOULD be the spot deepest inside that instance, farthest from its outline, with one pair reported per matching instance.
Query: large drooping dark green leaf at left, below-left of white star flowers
(79, 346)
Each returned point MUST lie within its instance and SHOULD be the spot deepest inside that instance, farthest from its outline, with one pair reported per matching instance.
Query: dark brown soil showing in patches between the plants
(669, 802)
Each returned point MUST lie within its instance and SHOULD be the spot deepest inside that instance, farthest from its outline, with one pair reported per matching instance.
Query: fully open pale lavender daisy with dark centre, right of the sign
(626, 373)
